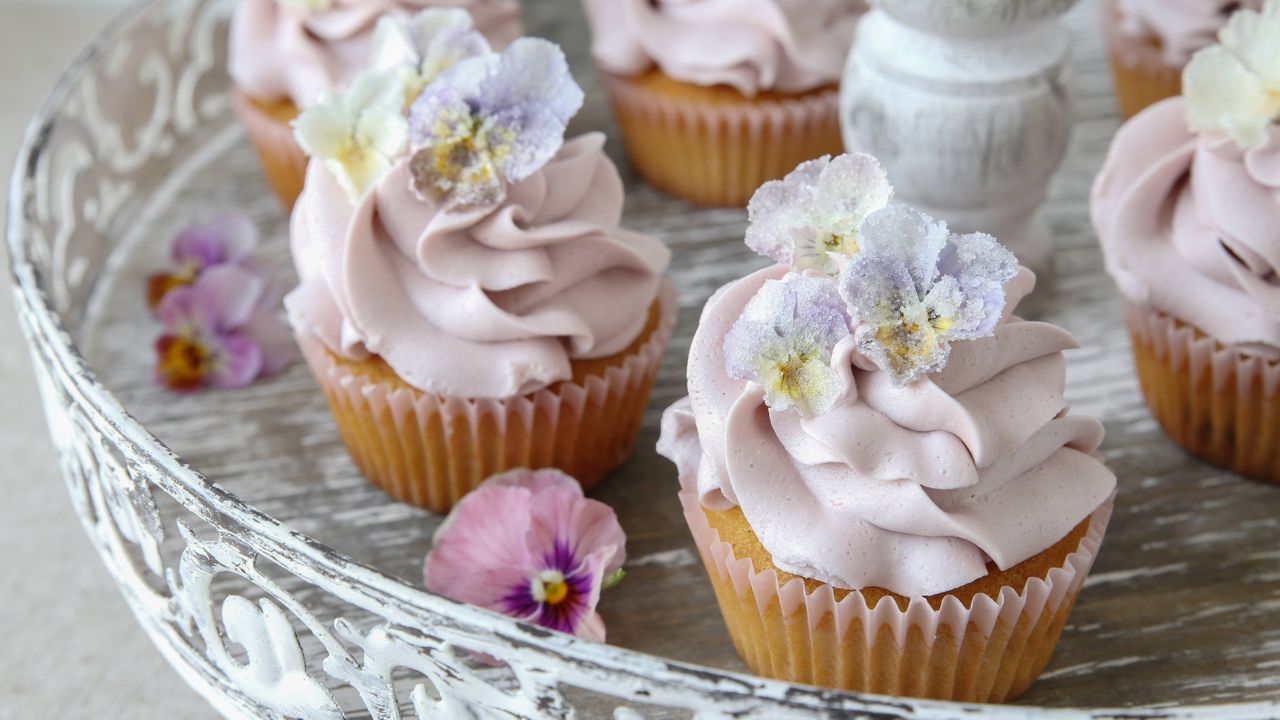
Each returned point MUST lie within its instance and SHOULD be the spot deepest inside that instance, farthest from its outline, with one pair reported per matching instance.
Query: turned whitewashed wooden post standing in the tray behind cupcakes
(967, 106)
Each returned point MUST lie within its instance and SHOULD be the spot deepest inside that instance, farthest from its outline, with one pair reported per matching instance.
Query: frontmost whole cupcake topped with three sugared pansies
(876, 458)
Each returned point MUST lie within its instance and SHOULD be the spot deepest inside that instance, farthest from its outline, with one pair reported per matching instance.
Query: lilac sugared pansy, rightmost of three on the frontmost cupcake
(916, 288)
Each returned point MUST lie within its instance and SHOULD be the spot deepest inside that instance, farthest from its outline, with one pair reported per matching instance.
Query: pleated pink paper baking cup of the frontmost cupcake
(990, 651)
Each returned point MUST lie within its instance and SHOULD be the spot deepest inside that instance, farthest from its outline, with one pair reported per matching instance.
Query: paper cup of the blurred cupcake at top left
(269, 127)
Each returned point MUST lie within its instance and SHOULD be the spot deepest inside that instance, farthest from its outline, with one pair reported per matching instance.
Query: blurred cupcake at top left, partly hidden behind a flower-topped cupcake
(286, 53)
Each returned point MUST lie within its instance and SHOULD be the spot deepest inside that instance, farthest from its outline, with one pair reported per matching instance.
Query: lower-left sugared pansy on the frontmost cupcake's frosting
(784, 343)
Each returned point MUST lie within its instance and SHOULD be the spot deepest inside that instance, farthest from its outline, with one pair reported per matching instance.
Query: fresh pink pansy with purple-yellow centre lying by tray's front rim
(527, 544)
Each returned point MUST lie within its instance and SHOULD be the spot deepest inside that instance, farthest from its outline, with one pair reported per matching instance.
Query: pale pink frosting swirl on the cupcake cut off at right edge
(1191, 227)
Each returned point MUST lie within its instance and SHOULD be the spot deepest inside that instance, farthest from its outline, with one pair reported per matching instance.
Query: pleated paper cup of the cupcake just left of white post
(720, 153)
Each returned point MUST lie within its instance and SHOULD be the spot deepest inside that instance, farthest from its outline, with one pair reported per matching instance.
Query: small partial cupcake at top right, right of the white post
(1150, 43)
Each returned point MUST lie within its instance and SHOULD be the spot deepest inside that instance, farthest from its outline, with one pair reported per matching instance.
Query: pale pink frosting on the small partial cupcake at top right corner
(1181, 26)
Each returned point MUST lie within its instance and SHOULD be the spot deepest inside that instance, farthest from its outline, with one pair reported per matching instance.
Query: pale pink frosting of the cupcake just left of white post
(752, 45)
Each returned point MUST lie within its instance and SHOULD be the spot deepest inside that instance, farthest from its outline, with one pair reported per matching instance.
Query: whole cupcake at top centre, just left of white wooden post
(716, 98)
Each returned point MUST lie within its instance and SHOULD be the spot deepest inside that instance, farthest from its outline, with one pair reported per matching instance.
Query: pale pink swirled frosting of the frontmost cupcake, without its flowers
(912, 490)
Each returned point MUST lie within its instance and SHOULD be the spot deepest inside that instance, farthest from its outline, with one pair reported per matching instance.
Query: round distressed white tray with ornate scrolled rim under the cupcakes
(267, 622)
